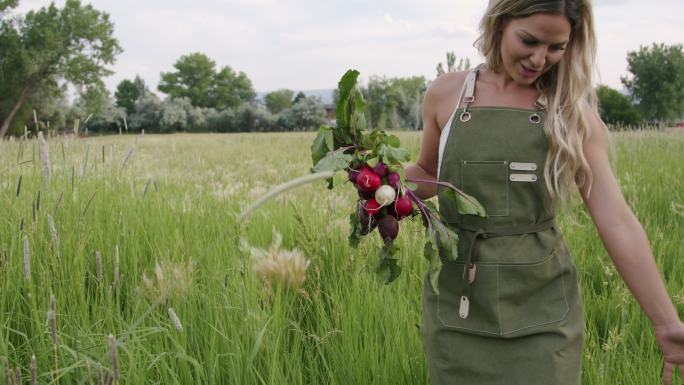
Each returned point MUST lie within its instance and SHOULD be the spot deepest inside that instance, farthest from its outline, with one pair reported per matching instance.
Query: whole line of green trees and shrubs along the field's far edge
(45, 50)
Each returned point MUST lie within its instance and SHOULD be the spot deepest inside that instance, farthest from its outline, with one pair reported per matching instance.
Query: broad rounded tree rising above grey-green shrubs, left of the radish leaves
(196, 78)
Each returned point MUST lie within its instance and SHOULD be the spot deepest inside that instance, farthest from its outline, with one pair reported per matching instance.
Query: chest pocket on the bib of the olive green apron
(487, 181)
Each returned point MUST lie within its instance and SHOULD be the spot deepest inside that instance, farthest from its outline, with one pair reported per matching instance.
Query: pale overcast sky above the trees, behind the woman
(308, 44)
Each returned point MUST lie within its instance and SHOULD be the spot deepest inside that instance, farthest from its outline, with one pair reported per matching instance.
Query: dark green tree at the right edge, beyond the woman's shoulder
(657, 81)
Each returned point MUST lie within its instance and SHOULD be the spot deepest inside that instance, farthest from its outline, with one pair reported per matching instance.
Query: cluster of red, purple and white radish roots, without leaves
(382, 199)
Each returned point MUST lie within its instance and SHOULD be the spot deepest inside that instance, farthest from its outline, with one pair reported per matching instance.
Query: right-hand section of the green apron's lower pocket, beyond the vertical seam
(532, 295)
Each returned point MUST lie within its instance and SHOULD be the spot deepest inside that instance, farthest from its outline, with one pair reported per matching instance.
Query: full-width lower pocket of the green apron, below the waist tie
(505, 299)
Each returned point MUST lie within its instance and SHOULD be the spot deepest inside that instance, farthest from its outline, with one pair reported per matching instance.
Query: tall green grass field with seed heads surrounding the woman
(145, 224)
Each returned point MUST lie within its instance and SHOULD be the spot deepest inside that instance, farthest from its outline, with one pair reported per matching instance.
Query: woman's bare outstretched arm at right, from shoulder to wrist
(621, 232)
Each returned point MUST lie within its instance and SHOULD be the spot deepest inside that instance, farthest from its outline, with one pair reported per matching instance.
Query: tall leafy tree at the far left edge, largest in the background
(74, 43)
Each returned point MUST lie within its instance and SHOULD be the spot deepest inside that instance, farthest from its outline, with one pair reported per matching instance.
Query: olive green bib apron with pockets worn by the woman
(510, 309)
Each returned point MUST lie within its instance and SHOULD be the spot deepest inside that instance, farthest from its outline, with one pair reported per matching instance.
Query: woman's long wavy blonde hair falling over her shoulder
(566, 87)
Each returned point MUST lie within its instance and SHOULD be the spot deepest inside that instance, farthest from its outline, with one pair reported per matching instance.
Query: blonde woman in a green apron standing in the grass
(522, 131)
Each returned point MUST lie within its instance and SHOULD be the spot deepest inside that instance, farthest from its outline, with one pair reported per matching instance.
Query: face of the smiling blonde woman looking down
(533, 44)
